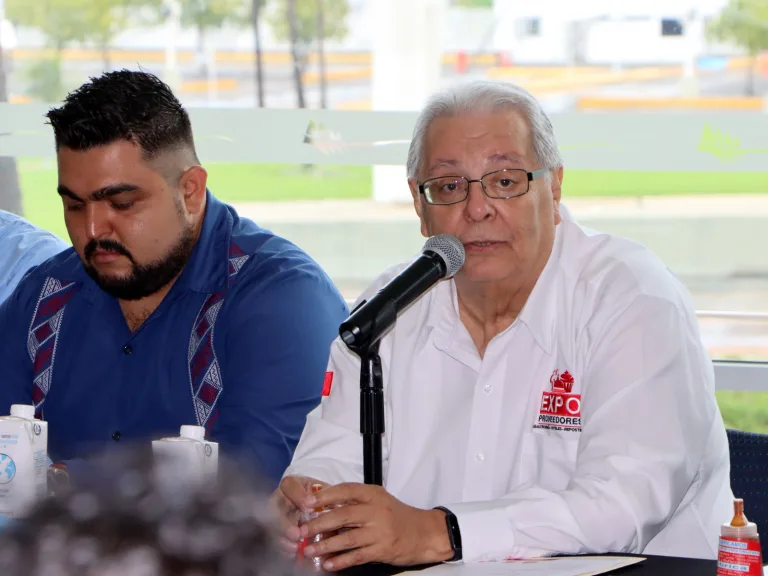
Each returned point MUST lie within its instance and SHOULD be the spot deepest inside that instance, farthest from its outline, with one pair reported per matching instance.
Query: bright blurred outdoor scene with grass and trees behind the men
(659, 106)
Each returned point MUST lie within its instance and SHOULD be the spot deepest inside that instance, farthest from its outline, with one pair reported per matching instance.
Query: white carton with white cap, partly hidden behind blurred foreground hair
(189, 456)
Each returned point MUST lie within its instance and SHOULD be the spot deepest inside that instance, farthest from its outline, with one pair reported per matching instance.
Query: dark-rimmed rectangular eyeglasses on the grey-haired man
(500, 184)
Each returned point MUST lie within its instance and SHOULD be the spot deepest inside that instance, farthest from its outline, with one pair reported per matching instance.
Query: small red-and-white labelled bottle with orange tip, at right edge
(739, 552)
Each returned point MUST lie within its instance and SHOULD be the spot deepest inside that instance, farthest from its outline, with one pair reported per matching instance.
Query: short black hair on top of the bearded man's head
(122, 105)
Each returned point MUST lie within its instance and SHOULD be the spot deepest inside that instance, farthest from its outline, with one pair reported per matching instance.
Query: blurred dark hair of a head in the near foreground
(127, 520)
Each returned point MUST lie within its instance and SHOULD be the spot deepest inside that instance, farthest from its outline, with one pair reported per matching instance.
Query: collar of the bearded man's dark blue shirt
(207, 270)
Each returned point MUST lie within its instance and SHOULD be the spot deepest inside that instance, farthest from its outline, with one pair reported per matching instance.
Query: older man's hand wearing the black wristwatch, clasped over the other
(377, 528)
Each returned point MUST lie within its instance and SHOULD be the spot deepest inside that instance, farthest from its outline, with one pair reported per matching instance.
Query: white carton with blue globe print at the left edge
(23, 461)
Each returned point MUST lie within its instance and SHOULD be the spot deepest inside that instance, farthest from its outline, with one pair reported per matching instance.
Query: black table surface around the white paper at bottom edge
(653, 565)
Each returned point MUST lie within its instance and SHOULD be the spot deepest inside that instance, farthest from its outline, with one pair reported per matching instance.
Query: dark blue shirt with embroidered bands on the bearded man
(240, 345)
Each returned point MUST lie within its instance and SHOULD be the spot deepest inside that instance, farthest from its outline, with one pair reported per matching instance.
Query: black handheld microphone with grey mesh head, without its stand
(441, 257)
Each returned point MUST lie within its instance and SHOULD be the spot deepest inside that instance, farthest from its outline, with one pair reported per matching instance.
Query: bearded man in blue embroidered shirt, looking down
(169, 309)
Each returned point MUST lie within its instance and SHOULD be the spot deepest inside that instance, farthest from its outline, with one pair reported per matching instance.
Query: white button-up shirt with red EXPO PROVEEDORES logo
(589, 426)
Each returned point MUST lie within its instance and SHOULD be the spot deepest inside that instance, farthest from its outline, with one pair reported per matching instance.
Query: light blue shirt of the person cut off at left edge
(22, 246)
